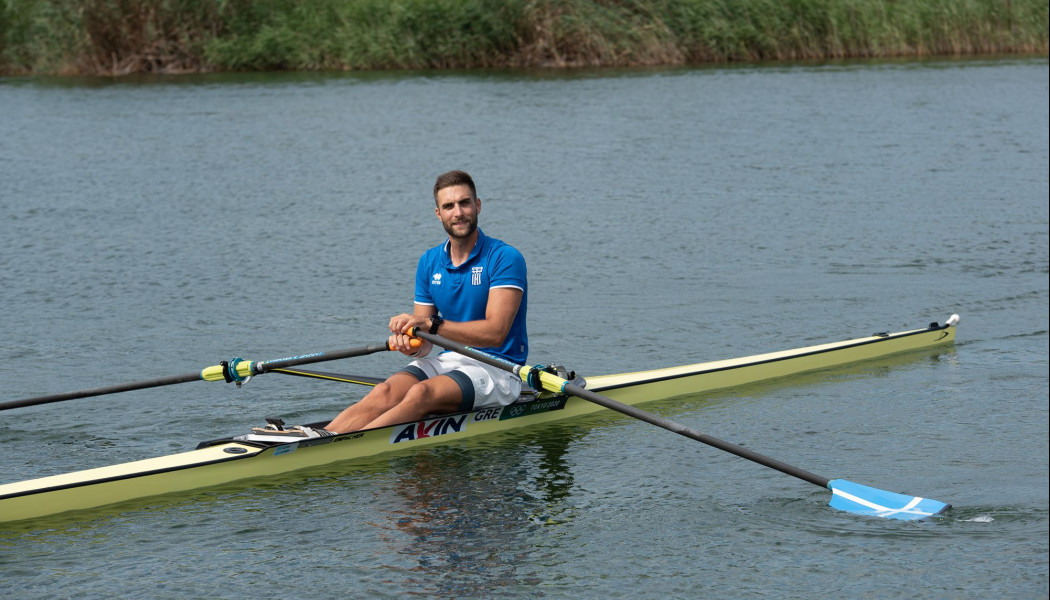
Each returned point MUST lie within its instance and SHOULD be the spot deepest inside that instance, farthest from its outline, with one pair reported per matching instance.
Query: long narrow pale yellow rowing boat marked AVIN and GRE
(230, 460)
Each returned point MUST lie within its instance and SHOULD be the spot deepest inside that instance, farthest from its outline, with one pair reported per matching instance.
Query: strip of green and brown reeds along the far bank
(117, 37)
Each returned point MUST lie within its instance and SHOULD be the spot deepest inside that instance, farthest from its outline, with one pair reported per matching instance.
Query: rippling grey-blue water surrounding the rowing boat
(154, 227)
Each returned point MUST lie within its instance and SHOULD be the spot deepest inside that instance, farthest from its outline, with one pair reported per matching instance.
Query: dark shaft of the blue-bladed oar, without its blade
(559, 385)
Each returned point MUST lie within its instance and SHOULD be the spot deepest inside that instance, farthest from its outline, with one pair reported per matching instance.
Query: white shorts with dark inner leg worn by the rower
(482, 385)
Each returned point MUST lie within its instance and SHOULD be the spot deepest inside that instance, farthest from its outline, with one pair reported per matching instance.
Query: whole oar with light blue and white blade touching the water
(846, 495)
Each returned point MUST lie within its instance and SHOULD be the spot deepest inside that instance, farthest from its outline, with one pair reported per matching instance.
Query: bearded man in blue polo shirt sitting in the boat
(472, 289)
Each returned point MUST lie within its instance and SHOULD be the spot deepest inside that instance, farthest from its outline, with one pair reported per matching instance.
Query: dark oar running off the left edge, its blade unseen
(235, 370)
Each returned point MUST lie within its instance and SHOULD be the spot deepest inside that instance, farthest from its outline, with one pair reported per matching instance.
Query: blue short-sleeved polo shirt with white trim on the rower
(461, 294)
